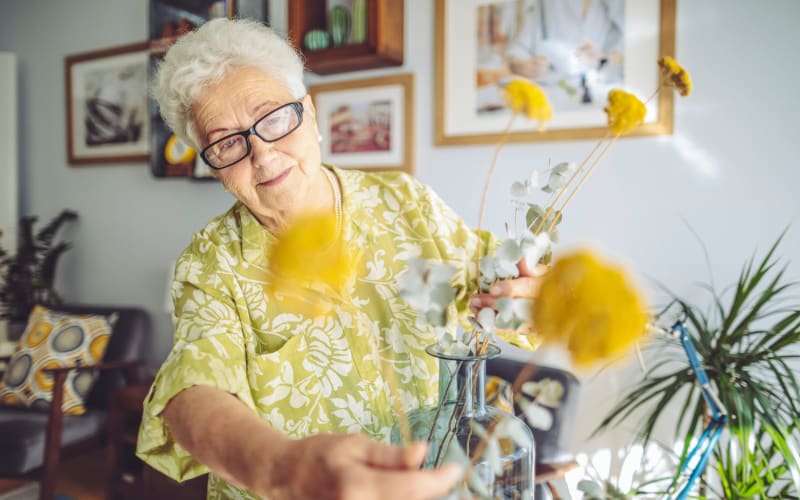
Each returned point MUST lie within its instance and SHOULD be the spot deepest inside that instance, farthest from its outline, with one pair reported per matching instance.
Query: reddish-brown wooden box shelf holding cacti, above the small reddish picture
(383, 46)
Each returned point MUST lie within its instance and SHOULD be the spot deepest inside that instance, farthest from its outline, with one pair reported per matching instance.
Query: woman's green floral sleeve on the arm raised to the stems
(457, 243)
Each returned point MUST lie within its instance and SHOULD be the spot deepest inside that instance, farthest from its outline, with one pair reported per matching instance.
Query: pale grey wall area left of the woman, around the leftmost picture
(131, 225)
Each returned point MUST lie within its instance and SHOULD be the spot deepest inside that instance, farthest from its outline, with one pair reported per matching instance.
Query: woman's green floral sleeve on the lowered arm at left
(209, 350)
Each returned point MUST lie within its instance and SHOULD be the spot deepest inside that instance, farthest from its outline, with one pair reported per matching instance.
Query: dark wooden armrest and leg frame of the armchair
(53, 452)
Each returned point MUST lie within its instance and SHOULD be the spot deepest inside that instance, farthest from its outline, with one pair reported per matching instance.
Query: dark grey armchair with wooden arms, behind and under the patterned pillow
(33, 442)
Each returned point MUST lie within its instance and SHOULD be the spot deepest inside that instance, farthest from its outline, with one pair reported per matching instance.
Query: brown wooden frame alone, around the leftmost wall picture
(69, 62)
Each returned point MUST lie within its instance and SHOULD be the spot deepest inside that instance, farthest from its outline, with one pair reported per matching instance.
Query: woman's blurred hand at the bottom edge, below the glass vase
(354, 467)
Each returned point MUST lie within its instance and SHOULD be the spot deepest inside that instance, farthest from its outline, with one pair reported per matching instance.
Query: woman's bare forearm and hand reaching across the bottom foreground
(225, 435)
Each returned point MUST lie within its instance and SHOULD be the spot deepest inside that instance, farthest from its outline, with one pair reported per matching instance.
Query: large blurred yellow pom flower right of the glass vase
(590, 306)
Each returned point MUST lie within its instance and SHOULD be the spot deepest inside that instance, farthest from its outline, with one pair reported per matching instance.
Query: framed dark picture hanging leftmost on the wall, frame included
(106, 94)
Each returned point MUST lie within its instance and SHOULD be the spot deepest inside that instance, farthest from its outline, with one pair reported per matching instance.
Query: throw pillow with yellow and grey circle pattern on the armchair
(51, 340)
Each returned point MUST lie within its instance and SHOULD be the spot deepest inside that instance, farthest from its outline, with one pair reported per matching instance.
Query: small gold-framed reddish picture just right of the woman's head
(367, 124)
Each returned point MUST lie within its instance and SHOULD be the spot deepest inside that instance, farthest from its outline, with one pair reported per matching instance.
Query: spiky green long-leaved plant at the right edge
(747, 344)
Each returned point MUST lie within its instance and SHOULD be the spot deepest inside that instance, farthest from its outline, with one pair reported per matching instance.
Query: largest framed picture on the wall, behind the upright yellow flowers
(575, 50)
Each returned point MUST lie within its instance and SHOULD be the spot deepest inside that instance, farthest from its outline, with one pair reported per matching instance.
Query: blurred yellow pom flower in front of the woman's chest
(309, 255)
